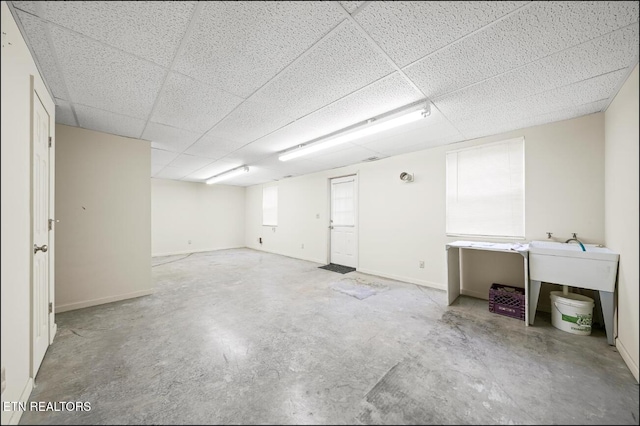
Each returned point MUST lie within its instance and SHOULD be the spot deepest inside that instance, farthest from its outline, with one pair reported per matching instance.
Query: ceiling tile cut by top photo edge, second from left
(241, 45)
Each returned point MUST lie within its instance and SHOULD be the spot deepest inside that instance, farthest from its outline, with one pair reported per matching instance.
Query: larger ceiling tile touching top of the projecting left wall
(108, 122)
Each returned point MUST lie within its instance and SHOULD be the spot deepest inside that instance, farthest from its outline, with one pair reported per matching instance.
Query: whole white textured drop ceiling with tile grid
(217, 85)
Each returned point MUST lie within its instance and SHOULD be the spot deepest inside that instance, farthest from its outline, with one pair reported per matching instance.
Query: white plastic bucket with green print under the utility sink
(572, 312)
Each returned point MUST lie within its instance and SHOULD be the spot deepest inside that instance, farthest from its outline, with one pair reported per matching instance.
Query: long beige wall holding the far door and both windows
(401, 224)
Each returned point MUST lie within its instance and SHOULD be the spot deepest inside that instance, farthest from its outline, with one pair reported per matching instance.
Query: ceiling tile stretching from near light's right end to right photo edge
(591, 59)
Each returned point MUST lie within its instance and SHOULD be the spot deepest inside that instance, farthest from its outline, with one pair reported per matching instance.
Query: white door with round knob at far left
(40, 224)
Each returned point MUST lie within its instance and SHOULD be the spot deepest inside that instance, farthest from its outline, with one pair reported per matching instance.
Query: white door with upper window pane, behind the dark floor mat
(344, 231)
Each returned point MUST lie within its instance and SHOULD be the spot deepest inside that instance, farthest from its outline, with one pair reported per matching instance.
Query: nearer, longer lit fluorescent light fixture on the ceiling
(357, 134)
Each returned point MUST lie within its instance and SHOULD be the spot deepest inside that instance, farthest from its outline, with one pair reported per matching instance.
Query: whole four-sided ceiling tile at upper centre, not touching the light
(339, 65)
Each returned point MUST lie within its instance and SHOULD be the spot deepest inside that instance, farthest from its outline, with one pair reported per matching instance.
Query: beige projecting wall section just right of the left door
(104, 211)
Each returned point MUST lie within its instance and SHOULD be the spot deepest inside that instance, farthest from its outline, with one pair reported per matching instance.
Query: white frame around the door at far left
(38, 92)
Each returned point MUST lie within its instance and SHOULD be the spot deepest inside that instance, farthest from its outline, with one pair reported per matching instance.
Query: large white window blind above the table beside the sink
(485, 190)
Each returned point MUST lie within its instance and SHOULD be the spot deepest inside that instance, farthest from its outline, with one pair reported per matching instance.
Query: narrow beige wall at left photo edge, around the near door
(17, 68)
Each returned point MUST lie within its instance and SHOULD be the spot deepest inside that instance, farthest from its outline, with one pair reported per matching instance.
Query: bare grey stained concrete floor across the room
(244, 337)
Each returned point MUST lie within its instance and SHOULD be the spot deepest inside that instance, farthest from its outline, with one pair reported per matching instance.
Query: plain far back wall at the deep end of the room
(189, 217)
